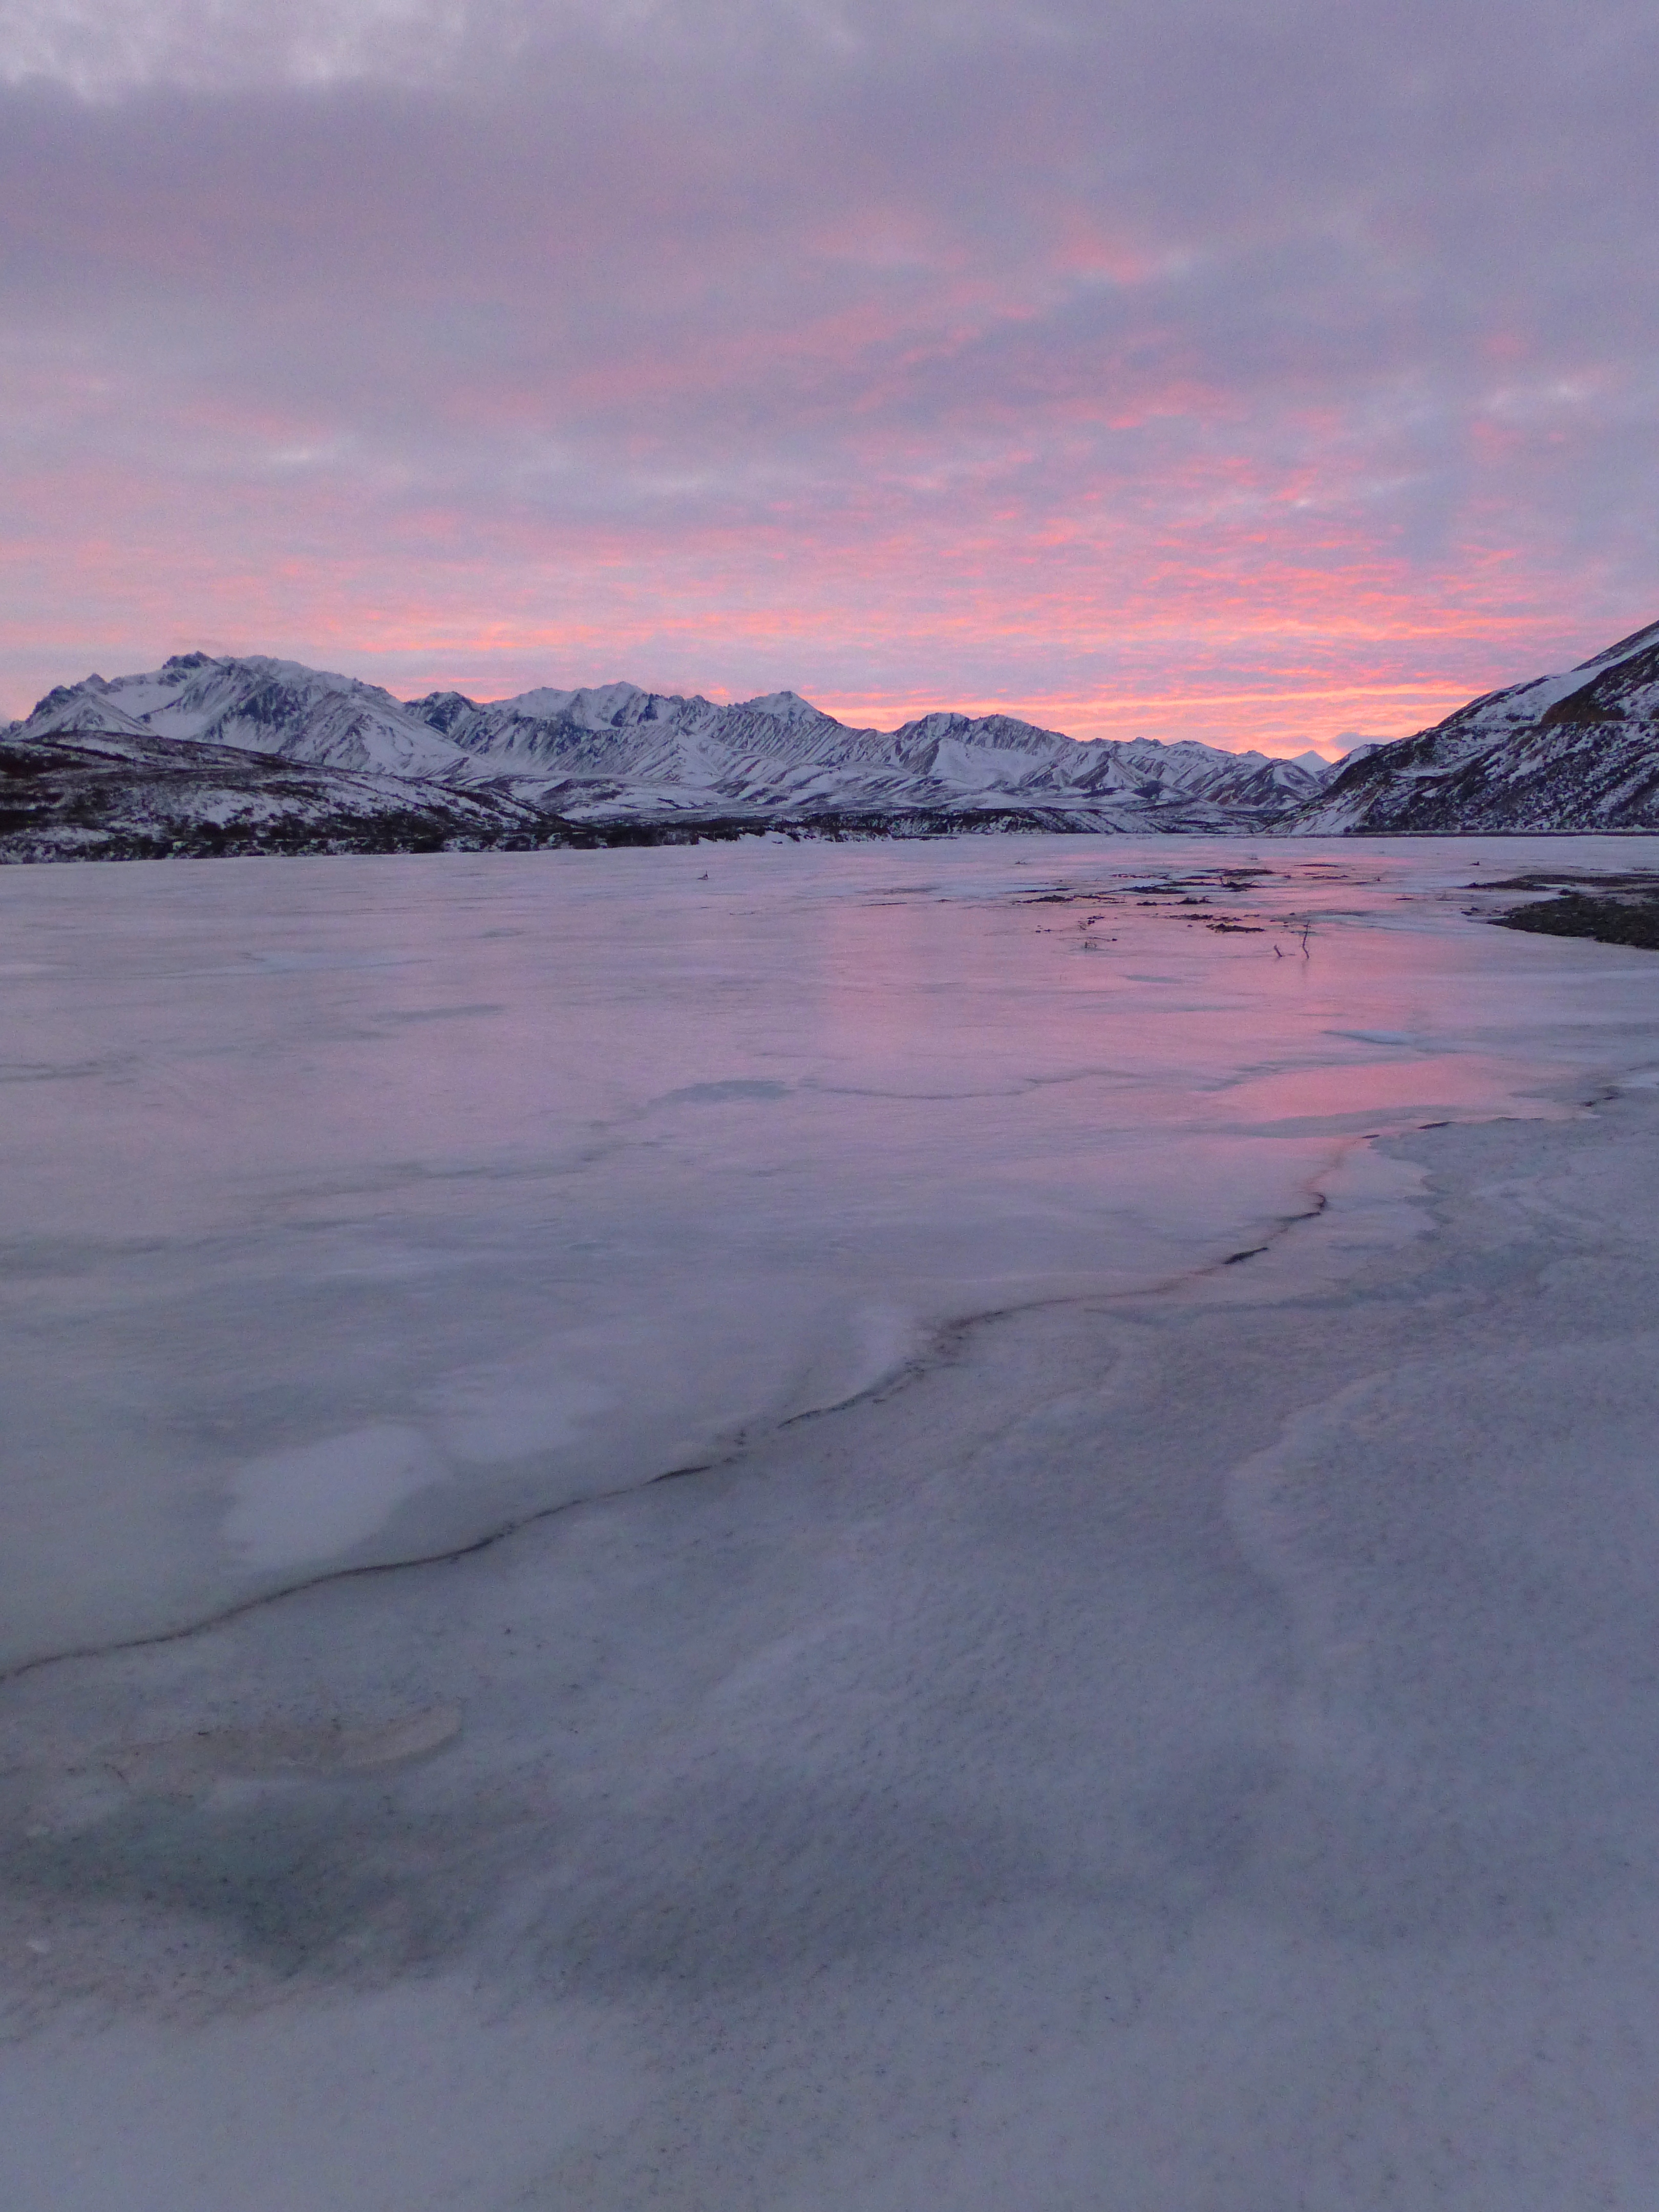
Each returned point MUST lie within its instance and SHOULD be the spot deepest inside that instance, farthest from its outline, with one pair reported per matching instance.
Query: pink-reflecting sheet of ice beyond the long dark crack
(362, 1207)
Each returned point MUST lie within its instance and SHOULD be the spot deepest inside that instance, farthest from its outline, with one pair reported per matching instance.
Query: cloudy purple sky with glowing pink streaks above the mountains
(1273, 373)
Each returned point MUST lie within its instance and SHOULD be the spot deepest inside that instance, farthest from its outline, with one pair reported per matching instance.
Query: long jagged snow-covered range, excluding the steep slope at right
(620, 762)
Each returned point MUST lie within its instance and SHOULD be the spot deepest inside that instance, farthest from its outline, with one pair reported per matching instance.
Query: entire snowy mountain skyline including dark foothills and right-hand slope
(262, 755)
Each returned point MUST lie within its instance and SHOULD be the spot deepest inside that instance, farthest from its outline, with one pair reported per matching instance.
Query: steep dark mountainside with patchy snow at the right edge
(1578, 751)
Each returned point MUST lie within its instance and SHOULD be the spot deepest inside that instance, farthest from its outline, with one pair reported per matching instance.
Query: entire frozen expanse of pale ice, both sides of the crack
(1162, 1733)
